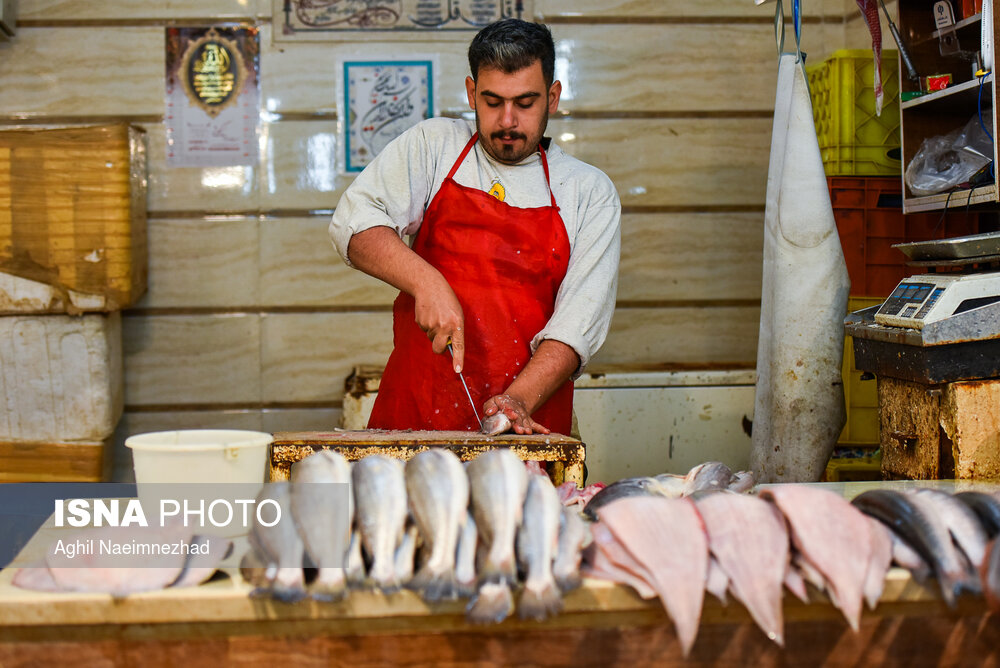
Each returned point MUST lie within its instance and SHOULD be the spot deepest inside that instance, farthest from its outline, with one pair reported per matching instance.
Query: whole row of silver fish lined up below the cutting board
(441, 528)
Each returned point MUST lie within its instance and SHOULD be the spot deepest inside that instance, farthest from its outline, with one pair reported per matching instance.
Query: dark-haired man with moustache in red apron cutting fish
(515, 258)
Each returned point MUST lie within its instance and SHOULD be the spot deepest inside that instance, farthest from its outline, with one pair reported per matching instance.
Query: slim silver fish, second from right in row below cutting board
(537, 542)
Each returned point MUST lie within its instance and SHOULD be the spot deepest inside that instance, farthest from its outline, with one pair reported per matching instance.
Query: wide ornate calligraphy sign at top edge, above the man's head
(395, 20)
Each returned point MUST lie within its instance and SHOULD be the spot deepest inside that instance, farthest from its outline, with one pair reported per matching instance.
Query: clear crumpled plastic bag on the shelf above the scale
(945, 161)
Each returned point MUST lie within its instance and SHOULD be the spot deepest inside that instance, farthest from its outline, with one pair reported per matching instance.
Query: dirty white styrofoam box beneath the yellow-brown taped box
(61, 377)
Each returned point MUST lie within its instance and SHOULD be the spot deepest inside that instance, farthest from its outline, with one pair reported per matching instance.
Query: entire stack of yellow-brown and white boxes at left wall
(72, 255)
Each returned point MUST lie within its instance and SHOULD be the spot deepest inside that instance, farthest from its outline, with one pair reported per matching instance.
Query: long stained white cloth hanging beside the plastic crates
(799, 403)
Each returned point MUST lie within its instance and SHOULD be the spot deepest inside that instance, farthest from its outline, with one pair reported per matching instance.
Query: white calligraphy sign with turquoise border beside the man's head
(379, 101)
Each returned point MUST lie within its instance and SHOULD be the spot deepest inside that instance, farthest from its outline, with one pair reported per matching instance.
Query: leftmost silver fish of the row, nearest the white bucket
(280, 545)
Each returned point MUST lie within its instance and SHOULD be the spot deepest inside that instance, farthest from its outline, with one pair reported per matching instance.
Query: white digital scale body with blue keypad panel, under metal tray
(927, 298)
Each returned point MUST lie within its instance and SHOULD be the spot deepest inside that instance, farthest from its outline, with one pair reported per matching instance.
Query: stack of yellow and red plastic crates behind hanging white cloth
(860, 151)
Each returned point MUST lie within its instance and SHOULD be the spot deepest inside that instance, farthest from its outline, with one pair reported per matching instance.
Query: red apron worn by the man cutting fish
(505, 265)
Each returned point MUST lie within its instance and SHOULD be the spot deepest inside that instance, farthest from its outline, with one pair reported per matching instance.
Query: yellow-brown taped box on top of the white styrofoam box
(72, 219)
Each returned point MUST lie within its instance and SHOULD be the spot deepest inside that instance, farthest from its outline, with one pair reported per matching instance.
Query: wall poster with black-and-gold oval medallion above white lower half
(212, 96)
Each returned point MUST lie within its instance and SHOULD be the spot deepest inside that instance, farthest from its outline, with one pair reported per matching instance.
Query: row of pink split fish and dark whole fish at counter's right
(753, 547)
